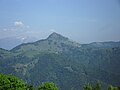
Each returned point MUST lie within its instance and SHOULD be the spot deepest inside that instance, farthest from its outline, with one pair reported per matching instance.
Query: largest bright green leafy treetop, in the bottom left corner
(9, 82)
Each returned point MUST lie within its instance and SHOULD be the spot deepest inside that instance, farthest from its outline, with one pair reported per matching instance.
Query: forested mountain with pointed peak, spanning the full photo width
(68, 64)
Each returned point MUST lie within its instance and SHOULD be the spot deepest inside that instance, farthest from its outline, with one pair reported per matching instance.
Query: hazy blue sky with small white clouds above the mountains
(80, 20)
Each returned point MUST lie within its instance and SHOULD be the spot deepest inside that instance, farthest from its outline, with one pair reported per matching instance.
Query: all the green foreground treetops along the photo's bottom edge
(9, 82)
